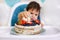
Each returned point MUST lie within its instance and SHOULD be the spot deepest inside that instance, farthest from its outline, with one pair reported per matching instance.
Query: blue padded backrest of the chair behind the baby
(19, 9)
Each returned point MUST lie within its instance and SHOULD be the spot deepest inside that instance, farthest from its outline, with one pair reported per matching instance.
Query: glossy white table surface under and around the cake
(51, 33)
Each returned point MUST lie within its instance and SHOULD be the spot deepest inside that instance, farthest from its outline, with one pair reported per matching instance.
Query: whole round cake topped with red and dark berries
(25, 26)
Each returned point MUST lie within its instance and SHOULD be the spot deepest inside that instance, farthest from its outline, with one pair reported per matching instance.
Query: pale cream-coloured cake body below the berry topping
(27, 29)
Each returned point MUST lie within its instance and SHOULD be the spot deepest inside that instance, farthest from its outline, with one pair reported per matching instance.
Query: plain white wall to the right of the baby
(51, 14)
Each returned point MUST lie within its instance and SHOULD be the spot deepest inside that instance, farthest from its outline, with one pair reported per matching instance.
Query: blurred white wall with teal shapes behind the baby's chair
(50, 11)
